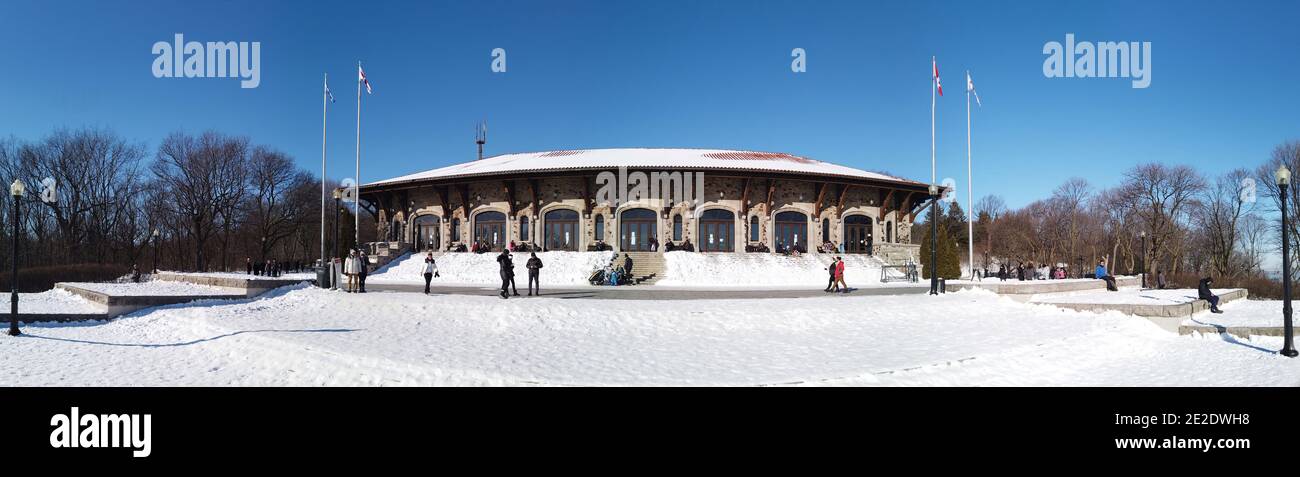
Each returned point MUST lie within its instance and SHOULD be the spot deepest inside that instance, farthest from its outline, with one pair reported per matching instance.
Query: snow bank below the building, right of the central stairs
(764, 270)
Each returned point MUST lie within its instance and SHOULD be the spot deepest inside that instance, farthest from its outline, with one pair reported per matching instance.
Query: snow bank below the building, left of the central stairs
(558, 268)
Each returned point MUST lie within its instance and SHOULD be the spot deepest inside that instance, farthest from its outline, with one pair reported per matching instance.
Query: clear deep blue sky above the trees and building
(587, 75)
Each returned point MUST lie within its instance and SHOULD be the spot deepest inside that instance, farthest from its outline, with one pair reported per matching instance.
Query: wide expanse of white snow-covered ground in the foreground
(304, 336)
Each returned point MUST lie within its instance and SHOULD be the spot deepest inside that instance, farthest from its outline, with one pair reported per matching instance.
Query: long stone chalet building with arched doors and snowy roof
(751, 202)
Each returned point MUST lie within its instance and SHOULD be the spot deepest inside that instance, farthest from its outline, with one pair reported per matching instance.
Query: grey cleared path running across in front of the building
(649, 293)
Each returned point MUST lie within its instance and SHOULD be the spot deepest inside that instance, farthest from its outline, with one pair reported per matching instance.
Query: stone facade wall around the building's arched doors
(720, 193)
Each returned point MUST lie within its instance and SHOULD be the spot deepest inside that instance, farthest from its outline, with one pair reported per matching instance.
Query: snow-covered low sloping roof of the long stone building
(642, 159)
